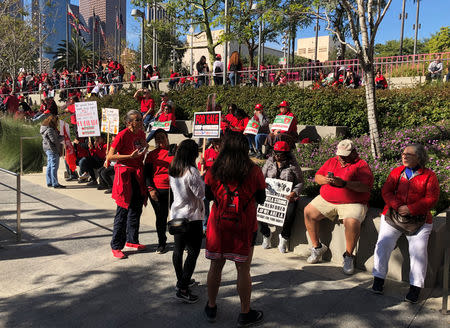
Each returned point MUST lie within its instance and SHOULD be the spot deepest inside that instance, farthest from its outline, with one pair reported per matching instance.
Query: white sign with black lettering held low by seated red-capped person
(274, 209)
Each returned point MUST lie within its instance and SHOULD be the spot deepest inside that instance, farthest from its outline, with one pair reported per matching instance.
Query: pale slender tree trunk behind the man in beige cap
(375, 144)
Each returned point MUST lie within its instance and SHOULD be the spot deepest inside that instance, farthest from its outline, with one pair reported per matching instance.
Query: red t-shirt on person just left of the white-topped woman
(160, 160)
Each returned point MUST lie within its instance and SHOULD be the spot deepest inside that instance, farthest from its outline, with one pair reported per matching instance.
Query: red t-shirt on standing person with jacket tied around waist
(127, 142)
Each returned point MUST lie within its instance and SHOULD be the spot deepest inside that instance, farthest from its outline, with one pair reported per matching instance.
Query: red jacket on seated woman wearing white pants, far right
(420, 193)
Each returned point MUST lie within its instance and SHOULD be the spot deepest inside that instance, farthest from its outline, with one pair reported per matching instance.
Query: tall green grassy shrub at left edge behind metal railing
(33, 155)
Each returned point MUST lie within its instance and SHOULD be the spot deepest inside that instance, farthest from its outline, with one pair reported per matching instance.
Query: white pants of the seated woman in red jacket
(418, 254)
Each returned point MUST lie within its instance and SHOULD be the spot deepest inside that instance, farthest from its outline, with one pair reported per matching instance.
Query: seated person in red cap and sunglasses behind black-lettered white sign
(283, 166)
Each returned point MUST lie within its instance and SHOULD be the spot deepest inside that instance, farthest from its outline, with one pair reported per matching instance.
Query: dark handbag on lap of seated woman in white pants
(407, 224)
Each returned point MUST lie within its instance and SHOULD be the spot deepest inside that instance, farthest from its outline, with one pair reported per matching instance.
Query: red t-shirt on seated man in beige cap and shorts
(357, 171)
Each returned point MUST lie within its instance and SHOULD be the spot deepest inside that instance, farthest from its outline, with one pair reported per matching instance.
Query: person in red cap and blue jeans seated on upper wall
(256, 140)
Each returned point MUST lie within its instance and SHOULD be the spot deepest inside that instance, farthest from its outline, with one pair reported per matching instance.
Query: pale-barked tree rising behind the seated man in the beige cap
(364, 18)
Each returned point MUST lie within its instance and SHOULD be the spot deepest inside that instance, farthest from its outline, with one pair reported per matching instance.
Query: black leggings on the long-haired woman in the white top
(192, 241)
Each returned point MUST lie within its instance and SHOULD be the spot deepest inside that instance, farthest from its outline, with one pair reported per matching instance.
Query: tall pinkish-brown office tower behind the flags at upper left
(111, 14)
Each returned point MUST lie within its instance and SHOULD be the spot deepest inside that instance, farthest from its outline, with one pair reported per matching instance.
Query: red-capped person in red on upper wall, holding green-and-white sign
(284, 128)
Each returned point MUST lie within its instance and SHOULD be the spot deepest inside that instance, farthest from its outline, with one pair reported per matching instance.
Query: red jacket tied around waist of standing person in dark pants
(122, 188)
